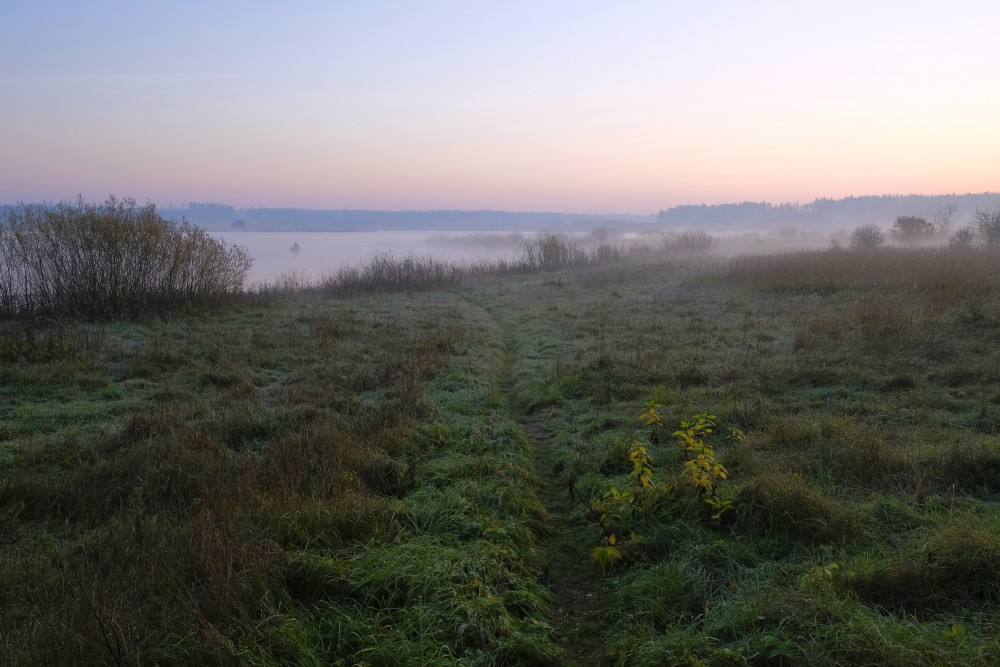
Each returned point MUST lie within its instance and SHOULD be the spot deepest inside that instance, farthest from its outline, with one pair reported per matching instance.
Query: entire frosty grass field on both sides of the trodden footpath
(418, 477)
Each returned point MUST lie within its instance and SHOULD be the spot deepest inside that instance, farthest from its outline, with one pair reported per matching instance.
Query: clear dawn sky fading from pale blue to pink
(584, 106)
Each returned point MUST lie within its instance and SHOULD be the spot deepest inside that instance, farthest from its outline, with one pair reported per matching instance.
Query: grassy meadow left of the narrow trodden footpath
(308, 482)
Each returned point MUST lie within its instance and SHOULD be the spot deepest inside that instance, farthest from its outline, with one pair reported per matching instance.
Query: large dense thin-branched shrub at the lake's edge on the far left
(110, 258)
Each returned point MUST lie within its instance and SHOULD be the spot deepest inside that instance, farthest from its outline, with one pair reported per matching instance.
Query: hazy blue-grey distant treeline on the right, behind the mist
(822, 213)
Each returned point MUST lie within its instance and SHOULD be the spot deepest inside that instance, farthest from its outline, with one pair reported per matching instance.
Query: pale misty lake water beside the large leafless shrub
(319, 252)
